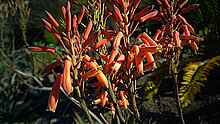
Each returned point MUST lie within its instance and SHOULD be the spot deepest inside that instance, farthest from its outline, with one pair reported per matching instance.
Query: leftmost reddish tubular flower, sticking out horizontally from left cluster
(42, 49)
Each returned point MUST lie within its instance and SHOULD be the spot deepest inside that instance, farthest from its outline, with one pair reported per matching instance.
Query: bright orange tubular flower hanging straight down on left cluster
(67, 80)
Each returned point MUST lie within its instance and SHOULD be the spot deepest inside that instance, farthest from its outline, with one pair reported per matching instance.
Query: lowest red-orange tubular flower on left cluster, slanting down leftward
(54, 94)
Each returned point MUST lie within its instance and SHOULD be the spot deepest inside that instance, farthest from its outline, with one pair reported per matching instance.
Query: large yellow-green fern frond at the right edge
(195, 75)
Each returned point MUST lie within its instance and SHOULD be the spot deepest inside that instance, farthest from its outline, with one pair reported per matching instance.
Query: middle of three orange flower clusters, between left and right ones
(125, 56)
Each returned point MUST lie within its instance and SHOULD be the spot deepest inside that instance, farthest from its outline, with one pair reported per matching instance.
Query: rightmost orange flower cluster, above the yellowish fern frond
(176, 31)
